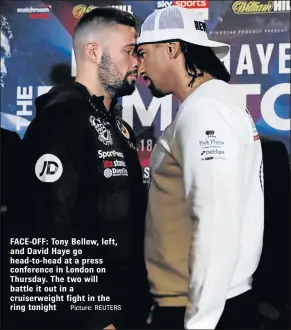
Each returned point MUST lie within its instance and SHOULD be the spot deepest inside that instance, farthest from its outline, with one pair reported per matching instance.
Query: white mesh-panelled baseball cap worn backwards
(177, 23)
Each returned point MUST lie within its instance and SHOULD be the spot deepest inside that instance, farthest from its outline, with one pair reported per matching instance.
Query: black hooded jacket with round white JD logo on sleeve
(89, 185)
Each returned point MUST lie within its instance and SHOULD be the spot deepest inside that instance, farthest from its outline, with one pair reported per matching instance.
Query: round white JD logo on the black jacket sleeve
(48, 168)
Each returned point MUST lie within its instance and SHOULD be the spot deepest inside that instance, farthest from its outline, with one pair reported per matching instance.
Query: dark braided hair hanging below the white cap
(203, 59)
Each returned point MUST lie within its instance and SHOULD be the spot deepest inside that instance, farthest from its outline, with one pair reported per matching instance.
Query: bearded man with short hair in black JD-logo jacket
(84, 178)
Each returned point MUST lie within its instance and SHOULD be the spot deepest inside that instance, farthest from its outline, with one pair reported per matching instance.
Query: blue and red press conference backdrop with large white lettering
(36, 53)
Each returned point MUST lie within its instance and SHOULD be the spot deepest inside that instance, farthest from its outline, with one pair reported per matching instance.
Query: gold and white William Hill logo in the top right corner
(256, 7)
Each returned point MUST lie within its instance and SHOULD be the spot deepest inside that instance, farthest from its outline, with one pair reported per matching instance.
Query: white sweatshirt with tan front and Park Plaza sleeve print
(205, 218)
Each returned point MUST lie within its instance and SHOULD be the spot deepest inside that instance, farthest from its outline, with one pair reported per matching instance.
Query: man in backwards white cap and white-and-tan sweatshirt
(205, 217)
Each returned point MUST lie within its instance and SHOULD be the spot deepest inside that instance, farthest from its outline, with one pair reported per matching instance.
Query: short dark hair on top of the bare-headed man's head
(106, 15)
